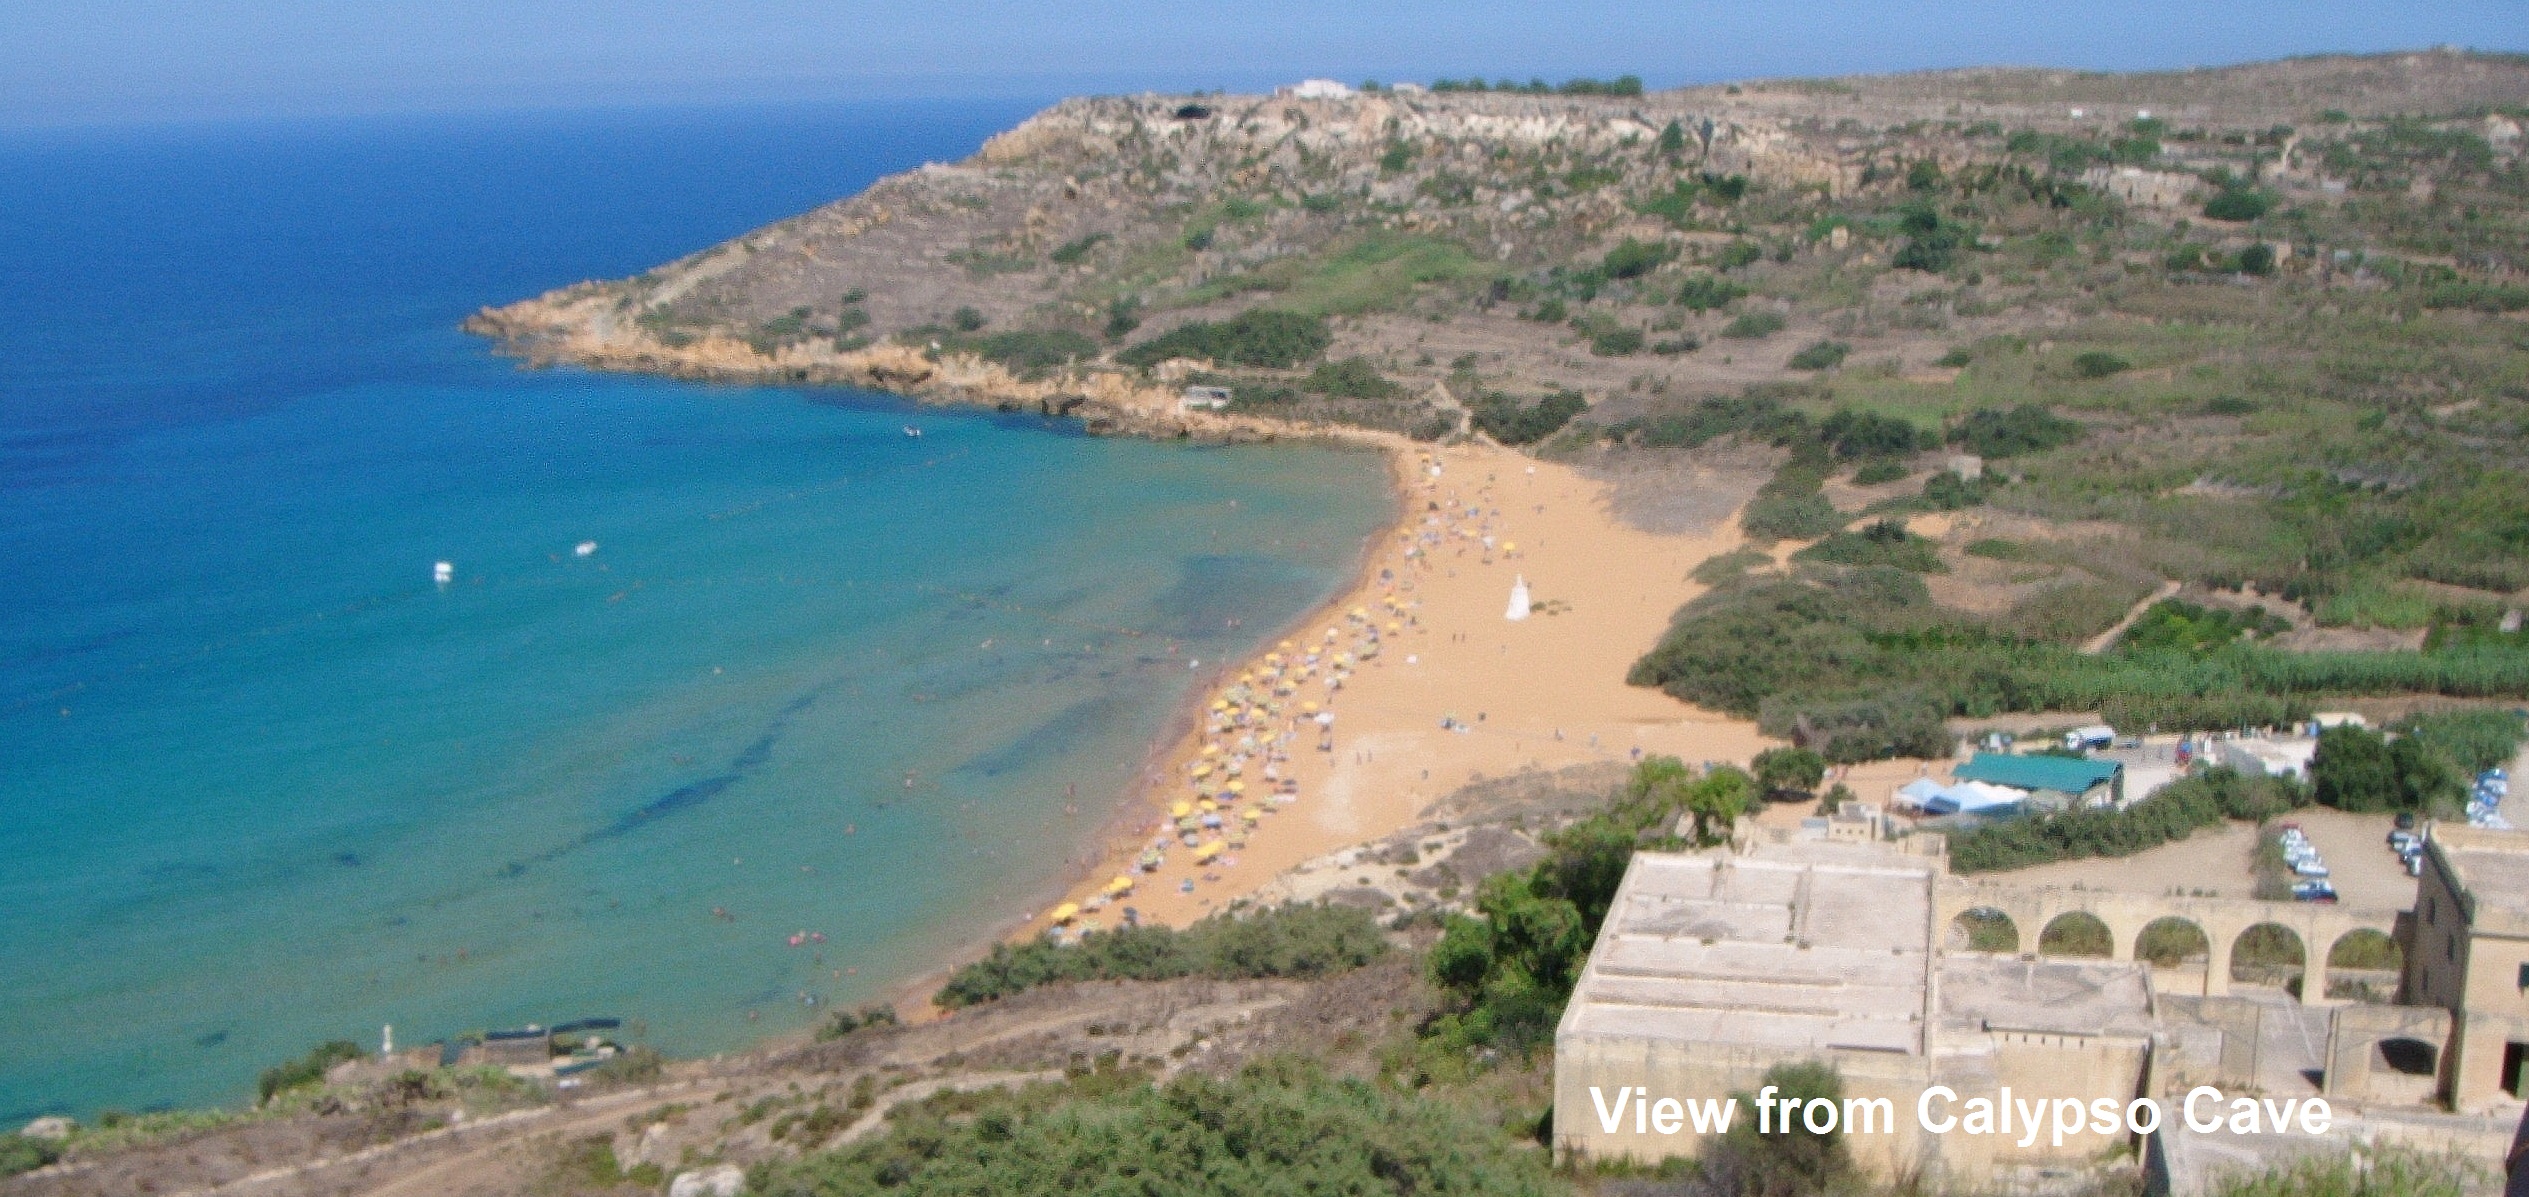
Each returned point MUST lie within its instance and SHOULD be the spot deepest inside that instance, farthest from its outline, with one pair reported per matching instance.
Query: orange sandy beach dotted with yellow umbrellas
(1435, 687)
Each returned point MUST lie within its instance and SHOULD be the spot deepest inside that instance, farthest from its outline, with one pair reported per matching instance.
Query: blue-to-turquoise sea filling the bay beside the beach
(264, 783)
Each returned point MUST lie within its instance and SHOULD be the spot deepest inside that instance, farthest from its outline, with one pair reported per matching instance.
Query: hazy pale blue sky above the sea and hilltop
(75, 62)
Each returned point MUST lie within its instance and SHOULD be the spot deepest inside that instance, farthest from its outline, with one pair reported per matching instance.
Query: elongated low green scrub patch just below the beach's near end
(1276, 943)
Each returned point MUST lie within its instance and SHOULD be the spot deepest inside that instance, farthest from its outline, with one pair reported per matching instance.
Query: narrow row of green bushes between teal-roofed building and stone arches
(2174, 814)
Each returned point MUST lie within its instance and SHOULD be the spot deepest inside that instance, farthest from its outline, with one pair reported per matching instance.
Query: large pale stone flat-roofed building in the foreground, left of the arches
(1718, 965)
